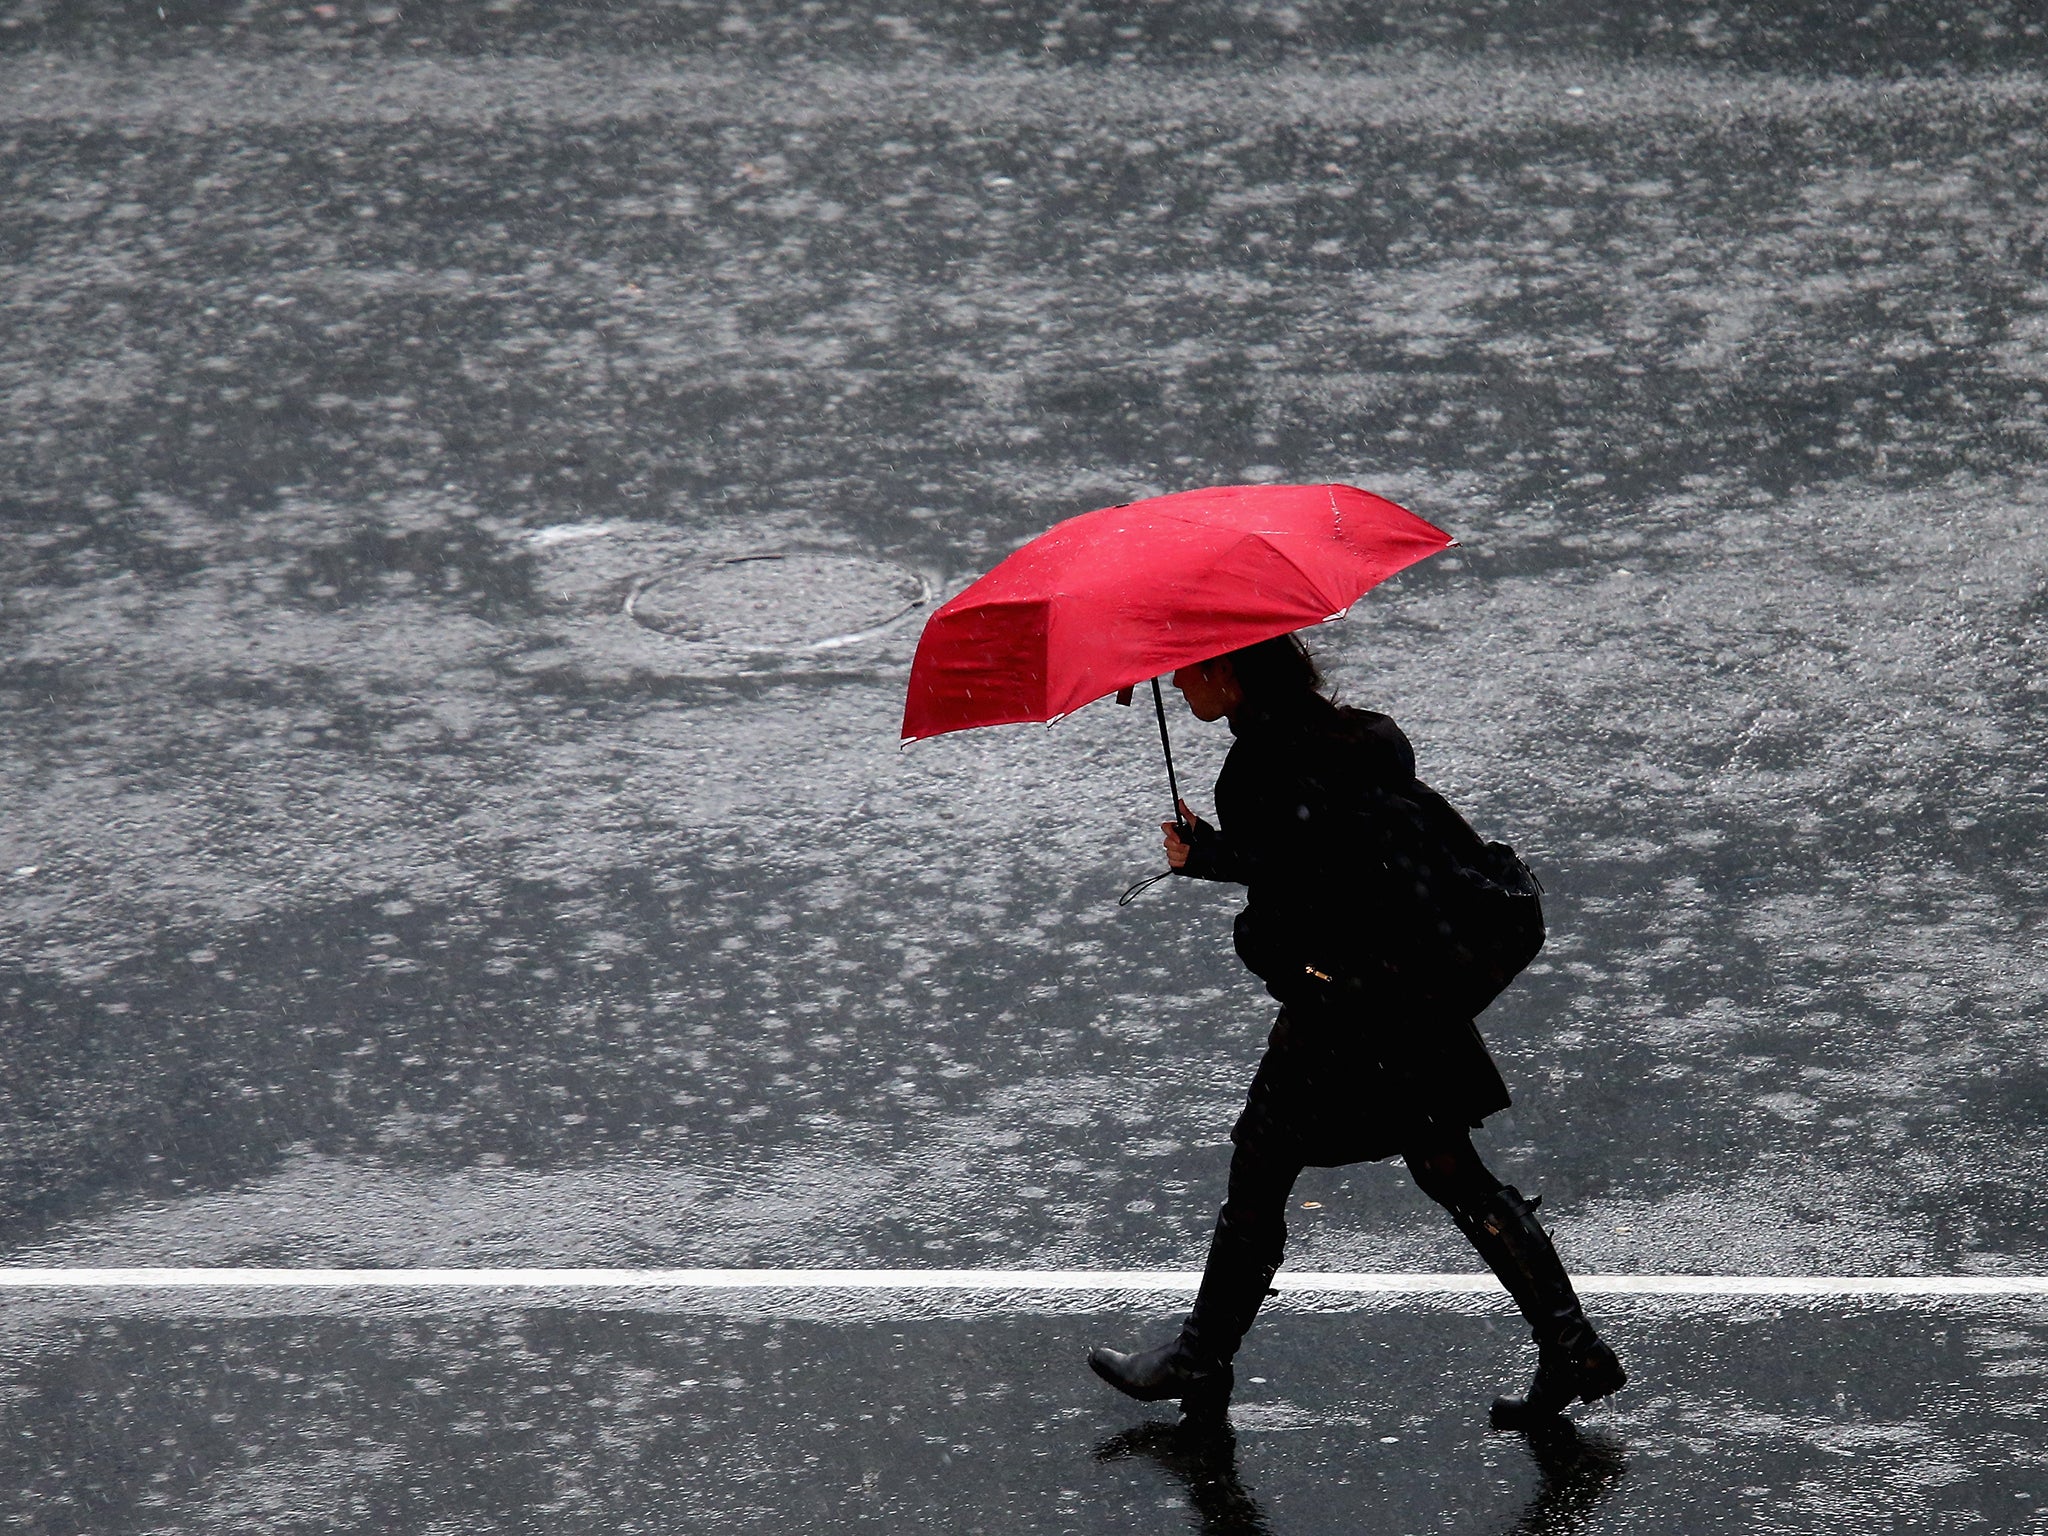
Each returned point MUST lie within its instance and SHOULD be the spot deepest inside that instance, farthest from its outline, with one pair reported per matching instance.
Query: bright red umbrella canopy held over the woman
(1111, 599)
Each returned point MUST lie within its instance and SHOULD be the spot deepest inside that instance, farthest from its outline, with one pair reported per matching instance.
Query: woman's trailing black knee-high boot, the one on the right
(1572, 1363)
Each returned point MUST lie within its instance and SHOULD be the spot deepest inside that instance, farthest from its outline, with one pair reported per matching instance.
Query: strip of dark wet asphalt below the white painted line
(693, 1422)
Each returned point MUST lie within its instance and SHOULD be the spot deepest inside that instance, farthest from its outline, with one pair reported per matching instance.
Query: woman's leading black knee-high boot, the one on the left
(1197, 1365)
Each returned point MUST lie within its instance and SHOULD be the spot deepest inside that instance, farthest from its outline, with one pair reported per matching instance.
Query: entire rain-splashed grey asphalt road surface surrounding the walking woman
(419, 847)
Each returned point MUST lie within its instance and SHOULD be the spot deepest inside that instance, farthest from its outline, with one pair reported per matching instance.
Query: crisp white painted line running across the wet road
(1000, 1281)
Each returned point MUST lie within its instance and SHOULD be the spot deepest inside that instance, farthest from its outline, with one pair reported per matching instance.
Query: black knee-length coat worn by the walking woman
(1314, 808)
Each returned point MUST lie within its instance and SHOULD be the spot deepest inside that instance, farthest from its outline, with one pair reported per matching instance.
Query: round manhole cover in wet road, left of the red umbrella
(790, 601)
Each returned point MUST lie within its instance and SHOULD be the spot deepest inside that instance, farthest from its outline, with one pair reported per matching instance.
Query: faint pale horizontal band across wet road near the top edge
(212, 95)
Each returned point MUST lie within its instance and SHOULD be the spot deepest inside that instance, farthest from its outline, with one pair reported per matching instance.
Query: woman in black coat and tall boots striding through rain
(1367, 1060)
